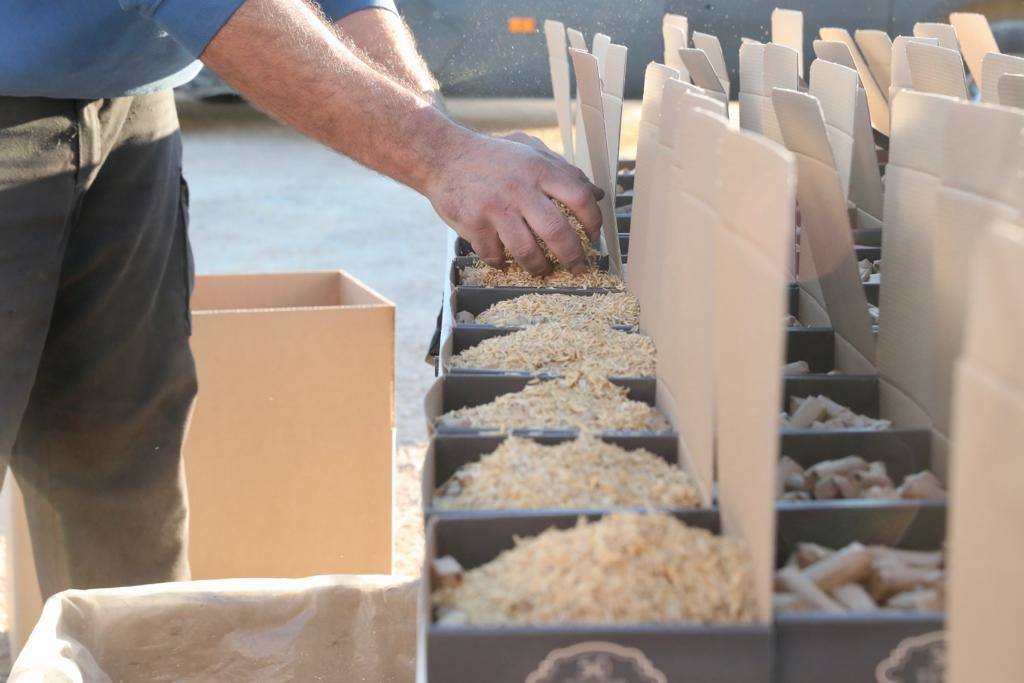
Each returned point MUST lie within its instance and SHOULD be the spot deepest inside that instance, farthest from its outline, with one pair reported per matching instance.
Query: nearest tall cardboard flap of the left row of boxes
(753, 243)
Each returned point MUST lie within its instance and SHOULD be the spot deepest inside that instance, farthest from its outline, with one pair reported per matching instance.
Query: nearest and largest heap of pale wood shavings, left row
(626, 569)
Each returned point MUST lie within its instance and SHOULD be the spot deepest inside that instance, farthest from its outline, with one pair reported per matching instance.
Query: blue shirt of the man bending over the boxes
(89, 50)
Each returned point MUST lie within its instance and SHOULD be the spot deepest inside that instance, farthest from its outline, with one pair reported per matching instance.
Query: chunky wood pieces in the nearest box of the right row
(860, 579)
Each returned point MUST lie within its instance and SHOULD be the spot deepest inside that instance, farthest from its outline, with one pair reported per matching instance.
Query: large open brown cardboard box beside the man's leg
(289, 455)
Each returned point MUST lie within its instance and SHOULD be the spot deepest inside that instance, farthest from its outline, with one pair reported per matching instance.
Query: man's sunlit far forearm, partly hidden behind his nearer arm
(383, 40)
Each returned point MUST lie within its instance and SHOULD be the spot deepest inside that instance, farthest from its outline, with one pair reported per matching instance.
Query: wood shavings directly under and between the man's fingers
(482, 275)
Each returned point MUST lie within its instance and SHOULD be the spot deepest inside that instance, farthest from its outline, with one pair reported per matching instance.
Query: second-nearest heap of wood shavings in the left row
(583, 474)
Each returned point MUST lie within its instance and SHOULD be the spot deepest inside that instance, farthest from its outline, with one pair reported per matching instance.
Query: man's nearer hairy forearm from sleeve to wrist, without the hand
(285, 60)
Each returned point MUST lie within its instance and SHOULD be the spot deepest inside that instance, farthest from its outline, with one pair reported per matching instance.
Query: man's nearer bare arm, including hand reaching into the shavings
(281, 57)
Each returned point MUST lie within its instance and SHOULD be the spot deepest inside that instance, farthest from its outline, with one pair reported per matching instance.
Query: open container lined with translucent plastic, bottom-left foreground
(323, 628)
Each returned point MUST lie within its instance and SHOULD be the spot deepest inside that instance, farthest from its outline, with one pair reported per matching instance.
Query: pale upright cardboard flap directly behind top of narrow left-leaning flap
(763, 68)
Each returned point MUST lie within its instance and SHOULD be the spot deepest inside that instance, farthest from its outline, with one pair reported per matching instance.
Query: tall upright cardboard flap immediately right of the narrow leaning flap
(906, 357)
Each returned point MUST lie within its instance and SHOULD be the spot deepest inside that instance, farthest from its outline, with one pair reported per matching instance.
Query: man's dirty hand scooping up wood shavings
(497, 194)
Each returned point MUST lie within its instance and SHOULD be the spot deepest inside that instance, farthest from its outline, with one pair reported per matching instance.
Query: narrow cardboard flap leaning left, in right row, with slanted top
(826, 226)
